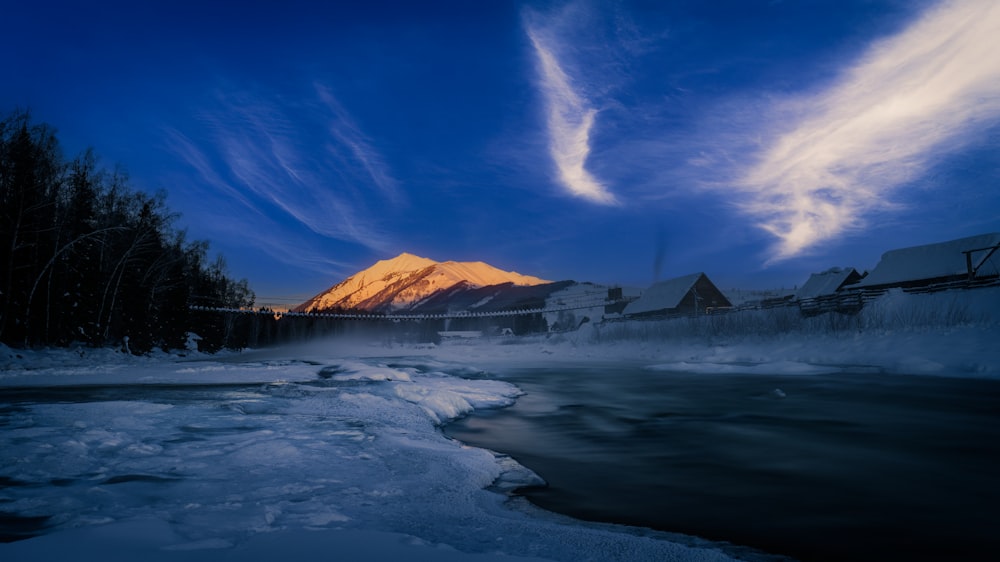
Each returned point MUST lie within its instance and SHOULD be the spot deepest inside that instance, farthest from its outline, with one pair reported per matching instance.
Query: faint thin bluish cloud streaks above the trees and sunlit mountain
(270, 160)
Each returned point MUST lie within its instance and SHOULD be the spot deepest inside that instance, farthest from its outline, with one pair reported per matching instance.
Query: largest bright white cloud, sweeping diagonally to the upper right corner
(911, 98)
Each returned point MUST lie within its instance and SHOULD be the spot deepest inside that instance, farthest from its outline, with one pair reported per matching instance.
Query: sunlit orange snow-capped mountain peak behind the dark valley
(405, 282)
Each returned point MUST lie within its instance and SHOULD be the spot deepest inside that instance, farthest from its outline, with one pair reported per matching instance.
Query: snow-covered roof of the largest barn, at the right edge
(933, 261)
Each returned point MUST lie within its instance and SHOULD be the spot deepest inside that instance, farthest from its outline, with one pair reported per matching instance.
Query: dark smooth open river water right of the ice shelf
(831, 467)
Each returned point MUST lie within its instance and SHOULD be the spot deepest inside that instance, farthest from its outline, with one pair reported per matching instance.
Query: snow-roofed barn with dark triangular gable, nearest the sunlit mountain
(688, 295)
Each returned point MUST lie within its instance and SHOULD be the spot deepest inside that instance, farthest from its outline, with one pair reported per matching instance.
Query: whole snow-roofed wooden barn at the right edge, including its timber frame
(964, 260)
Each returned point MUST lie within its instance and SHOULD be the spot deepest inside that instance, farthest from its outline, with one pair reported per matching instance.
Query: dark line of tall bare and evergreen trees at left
(84, 257)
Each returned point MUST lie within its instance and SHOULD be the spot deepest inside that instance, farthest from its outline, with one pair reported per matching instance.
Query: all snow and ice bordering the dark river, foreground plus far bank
(390, 482)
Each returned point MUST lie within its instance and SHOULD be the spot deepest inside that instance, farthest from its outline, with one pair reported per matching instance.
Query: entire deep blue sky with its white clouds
(615, 142)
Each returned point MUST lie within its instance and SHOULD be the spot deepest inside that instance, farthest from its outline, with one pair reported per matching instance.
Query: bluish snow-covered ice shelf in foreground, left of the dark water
(211, 459)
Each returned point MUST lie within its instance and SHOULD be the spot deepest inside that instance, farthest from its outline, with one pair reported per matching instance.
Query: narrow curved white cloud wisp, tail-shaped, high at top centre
(570, 119)
